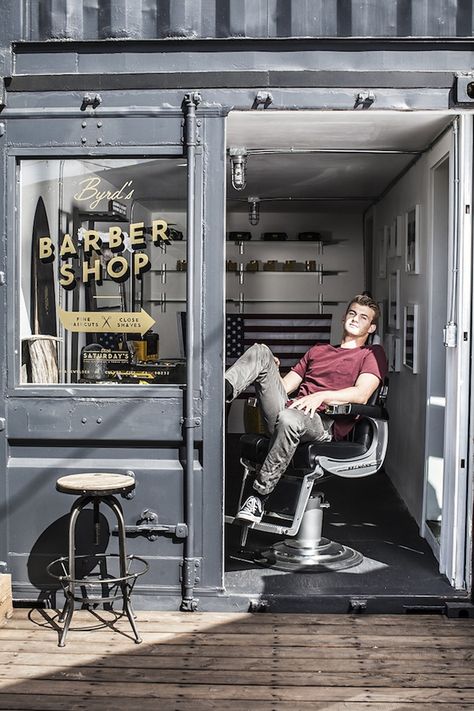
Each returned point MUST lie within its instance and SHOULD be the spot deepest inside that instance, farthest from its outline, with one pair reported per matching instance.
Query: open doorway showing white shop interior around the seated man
(322, 206)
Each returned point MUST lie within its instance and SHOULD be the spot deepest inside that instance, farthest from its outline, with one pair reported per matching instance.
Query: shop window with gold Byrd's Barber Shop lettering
(102, 271)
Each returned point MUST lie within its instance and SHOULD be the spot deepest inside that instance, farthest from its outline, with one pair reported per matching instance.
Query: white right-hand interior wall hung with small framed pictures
(405, 462)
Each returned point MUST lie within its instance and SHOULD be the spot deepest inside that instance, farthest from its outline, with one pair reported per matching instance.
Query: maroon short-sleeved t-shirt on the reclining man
(327, 367)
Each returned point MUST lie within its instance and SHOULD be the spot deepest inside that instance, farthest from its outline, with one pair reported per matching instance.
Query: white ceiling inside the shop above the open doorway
(312, 159)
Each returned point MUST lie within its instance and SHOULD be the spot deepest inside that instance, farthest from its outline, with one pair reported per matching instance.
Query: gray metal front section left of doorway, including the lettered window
(111, 317)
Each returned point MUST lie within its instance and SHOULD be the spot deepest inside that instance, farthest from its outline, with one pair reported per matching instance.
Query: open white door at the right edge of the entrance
(448, 490)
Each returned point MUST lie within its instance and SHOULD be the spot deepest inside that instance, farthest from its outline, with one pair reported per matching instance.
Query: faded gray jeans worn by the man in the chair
(287, 427)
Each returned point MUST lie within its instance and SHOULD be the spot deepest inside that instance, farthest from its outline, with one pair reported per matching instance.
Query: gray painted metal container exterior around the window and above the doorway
(239, 46)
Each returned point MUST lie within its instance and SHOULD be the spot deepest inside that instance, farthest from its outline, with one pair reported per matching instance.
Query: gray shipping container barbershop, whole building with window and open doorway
(180, 181)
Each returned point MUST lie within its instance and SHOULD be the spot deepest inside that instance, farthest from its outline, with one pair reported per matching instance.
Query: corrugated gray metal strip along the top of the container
(159, 19)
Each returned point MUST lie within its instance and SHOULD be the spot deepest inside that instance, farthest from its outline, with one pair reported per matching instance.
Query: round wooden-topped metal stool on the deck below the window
(96, 488)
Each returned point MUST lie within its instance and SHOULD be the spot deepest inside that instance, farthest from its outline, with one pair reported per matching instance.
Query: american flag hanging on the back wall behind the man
(288, 335)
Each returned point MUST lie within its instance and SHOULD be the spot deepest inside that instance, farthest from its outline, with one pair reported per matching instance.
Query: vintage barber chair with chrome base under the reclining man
(295, 508)
